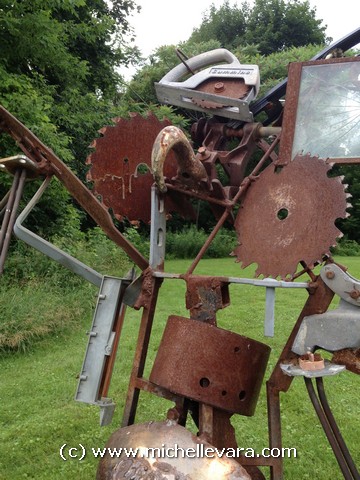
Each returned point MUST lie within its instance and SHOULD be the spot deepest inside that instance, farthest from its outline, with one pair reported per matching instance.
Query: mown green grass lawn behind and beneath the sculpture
(38, 413)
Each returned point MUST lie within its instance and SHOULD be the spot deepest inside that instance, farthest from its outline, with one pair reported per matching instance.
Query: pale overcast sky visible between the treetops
(162, 22)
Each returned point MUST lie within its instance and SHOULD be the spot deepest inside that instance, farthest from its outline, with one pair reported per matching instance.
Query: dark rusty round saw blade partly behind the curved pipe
(120, 166)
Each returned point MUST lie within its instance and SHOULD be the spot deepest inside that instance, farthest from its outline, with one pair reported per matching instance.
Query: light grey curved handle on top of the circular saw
(201, 61)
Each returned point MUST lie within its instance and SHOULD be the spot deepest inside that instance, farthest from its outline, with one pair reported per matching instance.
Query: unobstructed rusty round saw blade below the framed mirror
(288, 216)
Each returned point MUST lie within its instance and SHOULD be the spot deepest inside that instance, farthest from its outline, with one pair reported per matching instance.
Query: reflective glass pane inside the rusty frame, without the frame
(328, 115)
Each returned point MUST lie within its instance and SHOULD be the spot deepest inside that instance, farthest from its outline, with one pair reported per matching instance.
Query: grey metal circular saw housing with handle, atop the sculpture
(217, 65)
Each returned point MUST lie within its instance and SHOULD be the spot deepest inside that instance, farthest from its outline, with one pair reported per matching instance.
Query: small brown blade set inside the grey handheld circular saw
(226, 87)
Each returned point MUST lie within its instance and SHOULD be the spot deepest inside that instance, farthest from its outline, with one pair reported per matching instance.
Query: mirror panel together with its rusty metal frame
(322, 111)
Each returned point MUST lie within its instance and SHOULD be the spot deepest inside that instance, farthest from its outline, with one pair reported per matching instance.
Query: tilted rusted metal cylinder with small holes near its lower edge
(211, 365)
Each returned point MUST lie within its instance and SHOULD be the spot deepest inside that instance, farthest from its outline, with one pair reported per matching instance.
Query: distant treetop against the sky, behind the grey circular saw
(272, 25)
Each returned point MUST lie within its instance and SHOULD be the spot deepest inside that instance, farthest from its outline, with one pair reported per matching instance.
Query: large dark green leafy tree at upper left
(58, 75)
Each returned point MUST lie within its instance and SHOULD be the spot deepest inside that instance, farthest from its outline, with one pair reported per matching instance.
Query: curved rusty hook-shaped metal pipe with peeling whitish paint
(190, 169)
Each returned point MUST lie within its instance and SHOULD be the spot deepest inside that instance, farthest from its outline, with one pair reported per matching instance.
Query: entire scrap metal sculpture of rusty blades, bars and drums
(283, 208)
